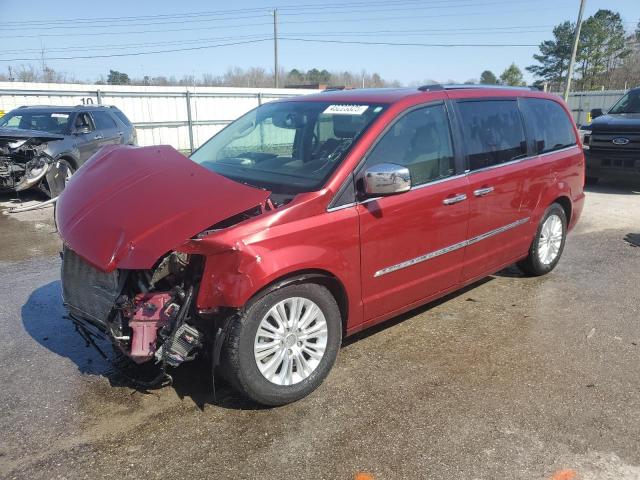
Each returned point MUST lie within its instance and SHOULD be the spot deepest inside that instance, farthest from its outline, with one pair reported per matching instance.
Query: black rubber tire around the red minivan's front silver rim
(239, 363)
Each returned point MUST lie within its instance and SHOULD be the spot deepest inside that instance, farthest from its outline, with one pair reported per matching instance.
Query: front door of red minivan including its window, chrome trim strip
(412, 244)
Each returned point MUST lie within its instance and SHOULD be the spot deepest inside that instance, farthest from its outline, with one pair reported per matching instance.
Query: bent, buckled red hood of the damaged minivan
(128, 206)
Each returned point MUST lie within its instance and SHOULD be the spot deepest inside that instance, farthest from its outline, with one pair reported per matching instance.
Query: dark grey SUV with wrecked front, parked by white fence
(42, 146)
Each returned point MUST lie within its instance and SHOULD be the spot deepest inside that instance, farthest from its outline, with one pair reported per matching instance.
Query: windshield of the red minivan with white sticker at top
(286, 147)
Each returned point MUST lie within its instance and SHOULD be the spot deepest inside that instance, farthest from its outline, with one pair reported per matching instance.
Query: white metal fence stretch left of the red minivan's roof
(183, 117)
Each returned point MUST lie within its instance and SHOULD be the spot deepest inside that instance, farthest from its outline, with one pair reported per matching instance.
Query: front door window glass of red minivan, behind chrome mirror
(420, 141)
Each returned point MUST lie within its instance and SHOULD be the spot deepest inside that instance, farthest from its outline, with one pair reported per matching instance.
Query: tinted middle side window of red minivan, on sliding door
(493, 132)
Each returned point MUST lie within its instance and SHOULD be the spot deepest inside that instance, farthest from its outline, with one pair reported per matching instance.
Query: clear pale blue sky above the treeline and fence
(214, 36)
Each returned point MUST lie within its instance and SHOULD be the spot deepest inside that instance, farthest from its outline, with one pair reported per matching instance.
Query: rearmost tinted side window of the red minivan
(550, 126)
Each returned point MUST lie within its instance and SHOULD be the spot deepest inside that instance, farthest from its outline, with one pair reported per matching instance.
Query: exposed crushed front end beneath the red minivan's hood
(146, 314)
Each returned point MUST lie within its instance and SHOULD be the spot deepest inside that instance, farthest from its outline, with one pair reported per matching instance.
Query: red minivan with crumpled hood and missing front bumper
(309, 219)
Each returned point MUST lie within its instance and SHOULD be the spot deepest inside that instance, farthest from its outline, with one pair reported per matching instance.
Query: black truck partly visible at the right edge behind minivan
(612, 141)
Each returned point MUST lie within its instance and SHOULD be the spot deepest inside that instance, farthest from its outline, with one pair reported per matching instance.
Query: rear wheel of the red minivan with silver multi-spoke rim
(548, 244)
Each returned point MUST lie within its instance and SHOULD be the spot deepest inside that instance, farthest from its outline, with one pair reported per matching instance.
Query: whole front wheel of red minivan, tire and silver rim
(285, 343)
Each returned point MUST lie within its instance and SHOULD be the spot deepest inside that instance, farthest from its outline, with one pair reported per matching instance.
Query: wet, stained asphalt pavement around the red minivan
(511, 378)
